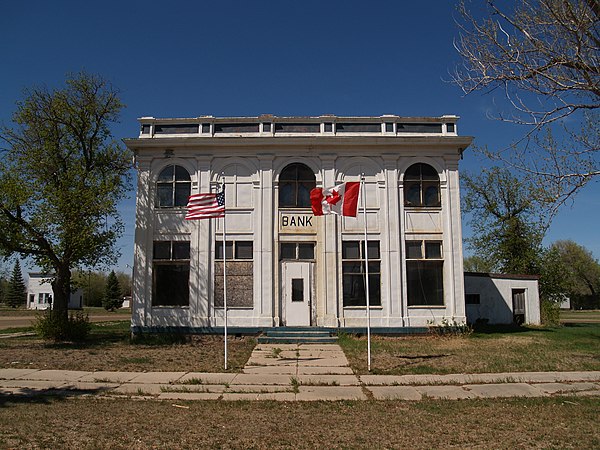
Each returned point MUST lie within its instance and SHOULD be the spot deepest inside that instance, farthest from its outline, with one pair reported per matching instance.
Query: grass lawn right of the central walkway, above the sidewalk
(566, 348)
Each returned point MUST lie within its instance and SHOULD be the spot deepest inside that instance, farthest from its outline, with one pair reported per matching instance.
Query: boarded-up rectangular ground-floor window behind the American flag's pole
(240, 274)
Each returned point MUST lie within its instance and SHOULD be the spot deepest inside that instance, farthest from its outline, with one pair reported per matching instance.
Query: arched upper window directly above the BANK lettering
(295, 184)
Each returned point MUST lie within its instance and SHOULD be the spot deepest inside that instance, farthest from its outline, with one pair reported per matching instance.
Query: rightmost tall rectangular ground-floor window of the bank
(424, 273)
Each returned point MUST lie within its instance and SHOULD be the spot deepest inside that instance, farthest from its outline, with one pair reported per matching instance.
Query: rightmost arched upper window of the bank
(421, 186)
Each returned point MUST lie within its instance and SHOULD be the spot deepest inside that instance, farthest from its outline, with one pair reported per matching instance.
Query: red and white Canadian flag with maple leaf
(341, 199)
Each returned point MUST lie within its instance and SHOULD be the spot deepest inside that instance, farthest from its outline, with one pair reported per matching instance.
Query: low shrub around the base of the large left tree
(52, 326)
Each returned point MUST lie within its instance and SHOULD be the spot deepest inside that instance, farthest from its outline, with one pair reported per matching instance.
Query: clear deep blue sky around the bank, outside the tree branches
(245, 58)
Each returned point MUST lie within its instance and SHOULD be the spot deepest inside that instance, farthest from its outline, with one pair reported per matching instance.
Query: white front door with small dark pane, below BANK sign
(296, 288)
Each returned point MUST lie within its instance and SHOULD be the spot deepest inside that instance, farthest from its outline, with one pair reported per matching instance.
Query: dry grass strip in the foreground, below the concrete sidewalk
(122, 423)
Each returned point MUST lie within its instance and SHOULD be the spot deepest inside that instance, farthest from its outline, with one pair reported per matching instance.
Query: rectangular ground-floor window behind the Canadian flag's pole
(354, 273)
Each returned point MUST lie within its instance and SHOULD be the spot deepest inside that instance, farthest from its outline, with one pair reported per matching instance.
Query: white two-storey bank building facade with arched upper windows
(285, 266)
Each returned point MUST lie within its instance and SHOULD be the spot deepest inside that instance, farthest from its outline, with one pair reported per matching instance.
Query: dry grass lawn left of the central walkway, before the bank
(110, 348)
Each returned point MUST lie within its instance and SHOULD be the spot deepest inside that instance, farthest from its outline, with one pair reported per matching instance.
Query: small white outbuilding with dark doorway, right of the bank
(502, 299)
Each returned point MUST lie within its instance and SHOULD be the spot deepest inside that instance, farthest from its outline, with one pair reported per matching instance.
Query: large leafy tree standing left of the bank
(61, 179)
